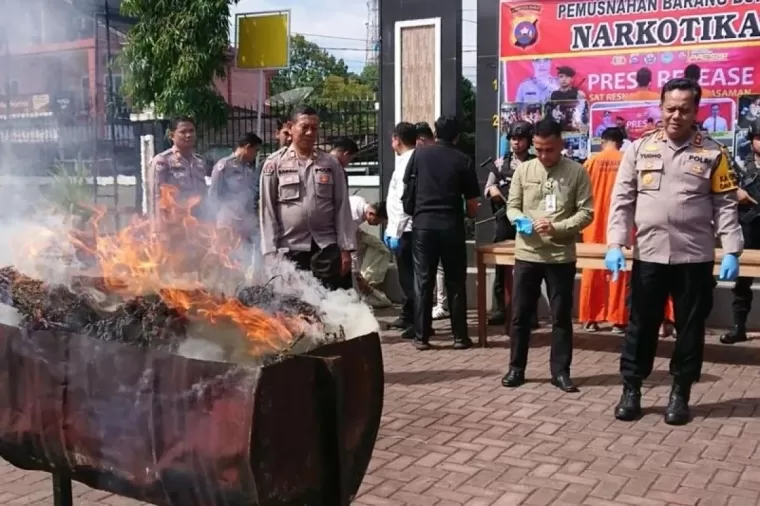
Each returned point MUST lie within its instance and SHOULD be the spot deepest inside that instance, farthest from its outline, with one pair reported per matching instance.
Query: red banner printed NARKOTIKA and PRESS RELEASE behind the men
(597, 54)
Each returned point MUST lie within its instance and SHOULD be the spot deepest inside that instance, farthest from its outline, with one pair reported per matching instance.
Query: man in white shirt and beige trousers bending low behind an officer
(369, 263)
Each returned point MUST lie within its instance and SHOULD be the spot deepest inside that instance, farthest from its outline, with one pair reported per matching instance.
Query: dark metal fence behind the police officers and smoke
(32, 145)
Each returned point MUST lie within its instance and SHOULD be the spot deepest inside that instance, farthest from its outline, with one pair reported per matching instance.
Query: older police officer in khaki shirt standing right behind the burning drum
(305, 211)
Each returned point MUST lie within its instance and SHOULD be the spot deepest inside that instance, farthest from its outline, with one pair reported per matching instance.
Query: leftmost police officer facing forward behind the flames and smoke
(179, 167)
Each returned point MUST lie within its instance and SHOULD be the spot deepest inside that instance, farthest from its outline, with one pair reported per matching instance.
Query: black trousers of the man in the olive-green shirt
(560, 287)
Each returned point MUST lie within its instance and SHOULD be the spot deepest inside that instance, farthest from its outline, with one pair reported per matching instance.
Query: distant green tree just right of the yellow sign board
(310, 65)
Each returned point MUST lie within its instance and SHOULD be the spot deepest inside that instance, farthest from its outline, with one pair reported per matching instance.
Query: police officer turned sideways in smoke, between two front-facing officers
(234, 189)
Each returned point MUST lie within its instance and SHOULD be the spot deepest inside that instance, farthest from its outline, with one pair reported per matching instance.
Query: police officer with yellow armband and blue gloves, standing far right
(676, 188)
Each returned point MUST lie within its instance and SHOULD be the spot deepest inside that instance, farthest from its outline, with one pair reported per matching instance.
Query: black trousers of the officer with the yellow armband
(691, 287)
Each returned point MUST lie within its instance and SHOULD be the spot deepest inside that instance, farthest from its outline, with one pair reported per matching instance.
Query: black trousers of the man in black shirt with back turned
(447, 247)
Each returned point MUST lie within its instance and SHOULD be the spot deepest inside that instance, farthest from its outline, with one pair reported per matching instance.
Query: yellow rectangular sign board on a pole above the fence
(263, 40)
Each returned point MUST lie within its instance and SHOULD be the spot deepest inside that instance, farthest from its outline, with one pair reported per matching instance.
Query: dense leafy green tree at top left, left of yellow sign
(172, 55)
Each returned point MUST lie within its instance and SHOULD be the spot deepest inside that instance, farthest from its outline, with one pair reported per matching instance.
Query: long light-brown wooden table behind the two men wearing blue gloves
(590, 256)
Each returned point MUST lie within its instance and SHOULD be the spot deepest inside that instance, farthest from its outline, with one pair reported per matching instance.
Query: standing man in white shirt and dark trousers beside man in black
(398, 231)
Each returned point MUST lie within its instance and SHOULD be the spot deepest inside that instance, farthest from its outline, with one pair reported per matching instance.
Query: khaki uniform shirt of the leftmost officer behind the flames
(187, 175)
